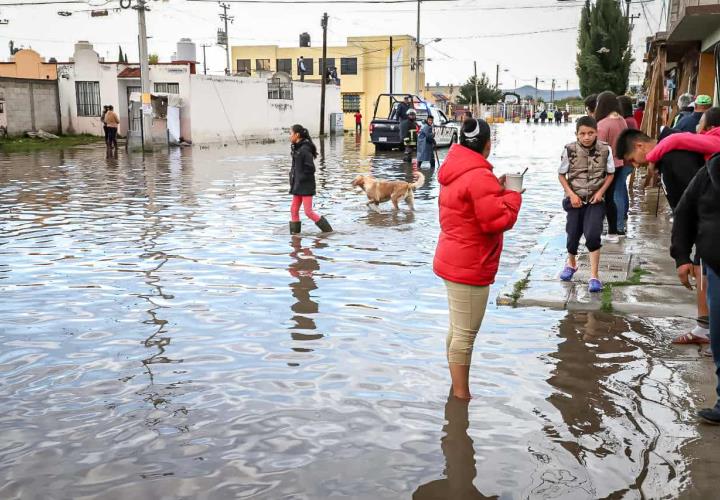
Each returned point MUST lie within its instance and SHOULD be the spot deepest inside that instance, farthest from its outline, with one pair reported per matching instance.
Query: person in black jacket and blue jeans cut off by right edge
(697, 222)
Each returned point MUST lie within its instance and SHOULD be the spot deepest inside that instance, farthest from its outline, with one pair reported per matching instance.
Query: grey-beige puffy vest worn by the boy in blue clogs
(588, 168)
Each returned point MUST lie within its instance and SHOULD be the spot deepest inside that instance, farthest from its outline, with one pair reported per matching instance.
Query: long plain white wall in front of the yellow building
(230, 108)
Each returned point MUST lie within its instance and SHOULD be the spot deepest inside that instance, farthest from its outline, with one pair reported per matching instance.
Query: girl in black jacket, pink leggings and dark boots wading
(302, 180)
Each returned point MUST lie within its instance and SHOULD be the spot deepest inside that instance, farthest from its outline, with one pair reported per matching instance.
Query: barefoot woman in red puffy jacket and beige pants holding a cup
(475, 211)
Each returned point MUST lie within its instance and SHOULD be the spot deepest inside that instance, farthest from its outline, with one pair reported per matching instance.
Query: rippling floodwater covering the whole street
(162, 336)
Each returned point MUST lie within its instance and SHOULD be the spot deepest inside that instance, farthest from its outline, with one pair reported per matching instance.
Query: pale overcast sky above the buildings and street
(470, 30)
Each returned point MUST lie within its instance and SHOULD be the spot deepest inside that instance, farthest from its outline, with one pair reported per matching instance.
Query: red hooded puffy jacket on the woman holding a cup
(475, 211)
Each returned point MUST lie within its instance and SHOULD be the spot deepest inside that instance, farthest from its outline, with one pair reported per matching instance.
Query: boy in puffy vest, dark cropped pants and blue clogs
(586, 172)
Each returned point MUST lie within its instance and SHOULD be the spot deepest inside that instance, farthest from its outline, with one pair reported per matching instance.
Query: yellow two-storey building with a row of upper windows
(362, 68)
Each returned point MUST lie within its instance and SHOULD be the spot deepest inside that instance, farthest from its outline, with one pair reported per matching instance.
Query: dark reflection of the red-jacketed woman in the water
(460, 467)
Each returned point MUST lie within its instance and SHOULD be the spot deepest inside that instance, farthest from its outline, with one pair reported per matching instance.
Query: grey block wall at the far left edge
(30, 105)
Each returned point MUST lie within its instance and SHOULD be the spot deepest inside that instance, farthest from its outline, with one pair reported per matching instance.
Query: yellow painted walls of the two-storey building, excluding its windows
(373, 63)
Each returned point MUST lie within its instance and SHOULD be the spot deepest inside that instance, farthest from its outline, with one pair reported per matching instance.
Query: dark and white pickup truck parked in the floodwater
(385, 132)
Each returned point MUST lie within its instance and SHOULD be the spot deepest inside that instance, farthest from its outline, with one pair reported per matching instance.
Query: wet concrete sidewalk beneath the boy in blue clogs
(638, 273)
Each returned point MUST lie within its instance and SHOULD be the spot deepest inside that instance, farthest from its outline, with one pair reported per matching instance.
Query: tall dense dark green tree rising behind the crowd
(605, 54)
